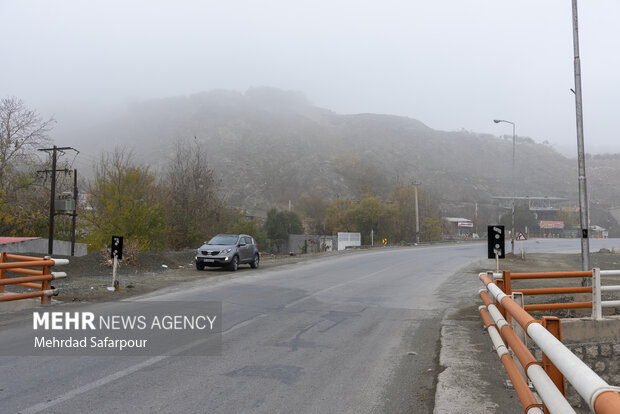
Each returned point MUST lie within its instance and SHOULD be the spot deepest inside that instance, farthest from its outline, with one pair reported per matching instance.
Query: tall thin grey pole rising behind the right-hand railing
(584, 215)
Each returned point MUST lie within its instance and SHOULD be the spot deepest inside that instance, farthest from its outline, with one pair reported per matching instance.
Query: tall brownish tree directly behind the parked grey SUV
(194, 208)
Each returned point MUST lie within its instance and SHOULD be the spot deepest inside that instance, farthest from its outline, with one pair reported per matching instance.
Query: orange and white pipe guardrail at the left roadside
(24, 265)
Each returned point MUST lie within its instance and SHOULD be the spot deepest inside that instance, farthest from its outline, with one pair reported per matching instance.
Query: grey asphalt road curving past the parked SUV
(356, 333)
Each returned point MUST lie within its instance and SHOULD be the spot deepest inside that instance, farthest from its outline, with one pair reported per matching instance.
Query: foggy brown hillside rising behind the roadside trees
(269, 146)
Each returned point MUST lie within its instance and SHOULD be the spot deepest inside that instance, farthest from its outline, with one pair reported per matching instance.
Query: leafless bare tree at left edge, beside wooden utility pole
(22, 130)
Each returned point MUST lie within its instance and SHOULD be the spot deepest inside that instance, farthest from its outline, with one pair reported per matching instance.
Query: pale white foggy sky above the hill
(451, 64)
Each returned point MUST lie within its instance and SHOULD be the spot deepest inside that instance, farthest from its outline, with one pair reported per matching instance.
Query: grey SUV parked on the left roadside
(228, 250)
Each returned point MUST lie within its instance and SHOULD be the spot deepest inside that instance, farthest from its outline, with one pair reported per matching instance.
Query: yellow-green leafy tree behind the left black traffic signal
(125, 201)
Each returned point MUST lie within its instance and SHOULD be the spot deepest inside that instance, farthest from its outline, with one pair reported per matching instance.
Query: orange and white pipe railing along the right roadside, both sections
(559, 363)
